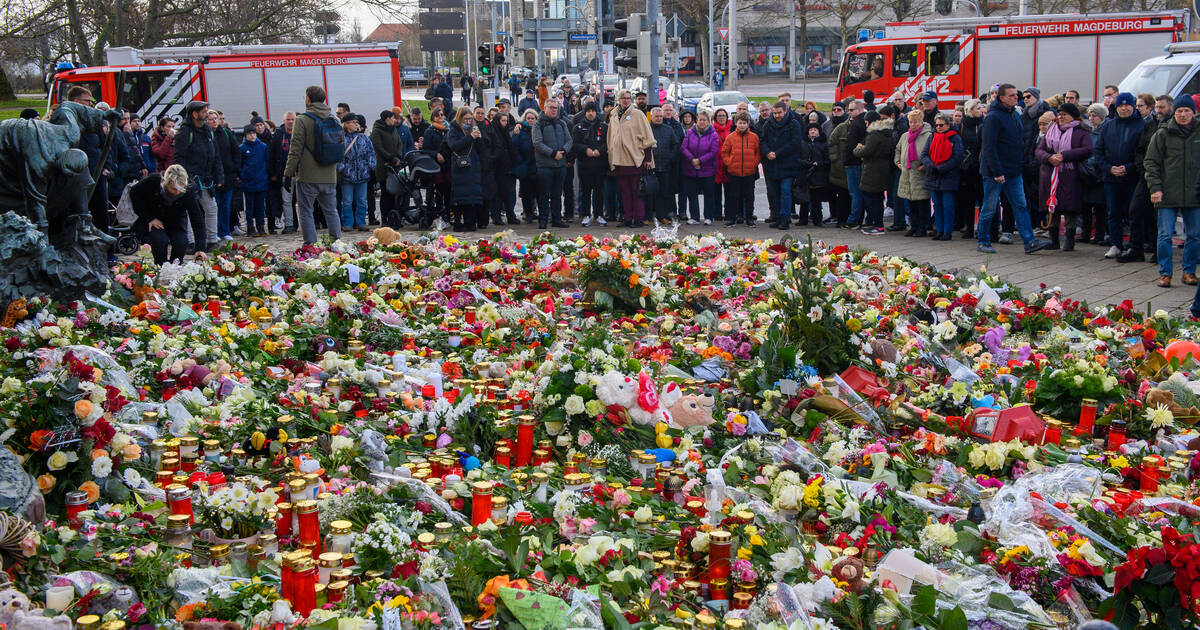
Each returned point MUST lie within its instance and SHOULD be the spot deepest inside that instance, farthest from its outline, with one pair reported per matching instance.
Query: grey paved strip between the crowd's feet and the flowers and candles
(1083, 274)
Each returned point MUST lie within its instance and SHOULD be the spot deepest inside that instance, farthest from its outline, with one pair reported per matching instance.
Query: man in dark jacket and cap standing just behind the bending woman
(197, 153)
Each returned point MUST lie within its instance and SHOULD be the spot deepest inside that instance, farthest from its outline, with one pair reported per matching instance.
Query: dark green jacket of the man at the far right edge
(1173, 165)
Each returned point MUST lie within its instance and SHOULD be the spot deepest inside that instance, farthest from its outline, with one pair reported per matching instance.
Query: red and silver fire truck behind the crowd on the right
(961, 59)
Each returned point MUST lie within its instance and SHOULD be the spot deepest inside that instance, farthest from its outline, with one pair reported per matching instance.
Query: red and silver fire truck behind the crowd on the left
(239, 80)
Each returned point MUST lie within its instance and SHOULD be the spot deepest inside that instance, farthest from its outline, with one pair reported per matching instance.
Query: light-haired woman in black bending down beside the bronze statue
(163, 202)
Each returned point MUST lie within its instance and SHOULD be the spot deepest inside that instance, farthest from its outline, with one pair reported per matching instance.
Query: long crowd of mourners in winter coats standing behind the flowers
(1052, 172)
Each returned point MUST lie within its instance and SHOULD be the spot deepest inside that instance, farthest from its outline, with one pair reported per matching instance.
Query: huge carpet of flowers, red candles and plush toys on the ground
(595, 434)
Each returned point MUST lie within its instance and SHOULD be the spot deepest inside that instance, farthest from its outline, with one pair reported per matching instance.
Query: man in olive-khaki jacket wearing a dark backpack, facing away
(319, 145)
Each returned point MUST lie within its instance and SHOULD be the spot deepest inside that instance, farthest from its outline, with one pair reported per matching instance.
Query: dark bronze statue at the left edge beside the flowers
(49, 244)
